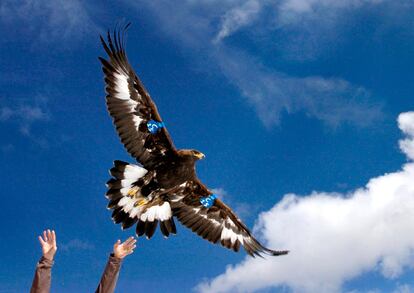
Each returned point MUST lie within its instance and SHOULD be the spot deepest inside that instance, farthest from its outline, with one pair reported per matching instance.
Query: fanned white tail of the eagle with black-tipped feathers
(128, 194)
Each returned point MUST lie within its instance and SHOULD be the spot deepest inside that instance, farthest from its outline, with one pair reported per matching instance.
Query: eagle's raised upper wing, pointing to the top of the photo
(131, 107)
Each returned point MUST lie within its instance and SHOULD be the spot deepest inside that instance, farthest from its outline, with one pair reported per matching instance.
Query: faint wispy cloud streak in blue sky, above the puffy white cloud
(333, 101)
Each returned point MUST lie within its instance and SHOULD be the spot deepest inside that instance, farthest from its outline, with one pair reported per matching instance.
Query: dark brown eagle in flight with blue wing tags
(165, 184)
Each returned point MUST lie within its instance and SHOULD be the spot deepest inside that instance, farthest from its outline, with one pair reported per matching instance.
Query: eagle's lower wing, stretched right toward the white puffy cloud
(217, 223)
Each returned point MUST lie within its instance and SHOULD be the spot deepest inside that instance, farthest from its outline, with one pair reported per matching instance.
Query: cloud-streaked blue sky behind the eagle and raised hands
(284, 97)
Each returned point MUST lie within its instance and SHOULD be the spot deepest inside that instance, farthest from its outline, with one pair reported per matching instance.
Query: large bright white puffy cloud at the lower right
(334, 237)
